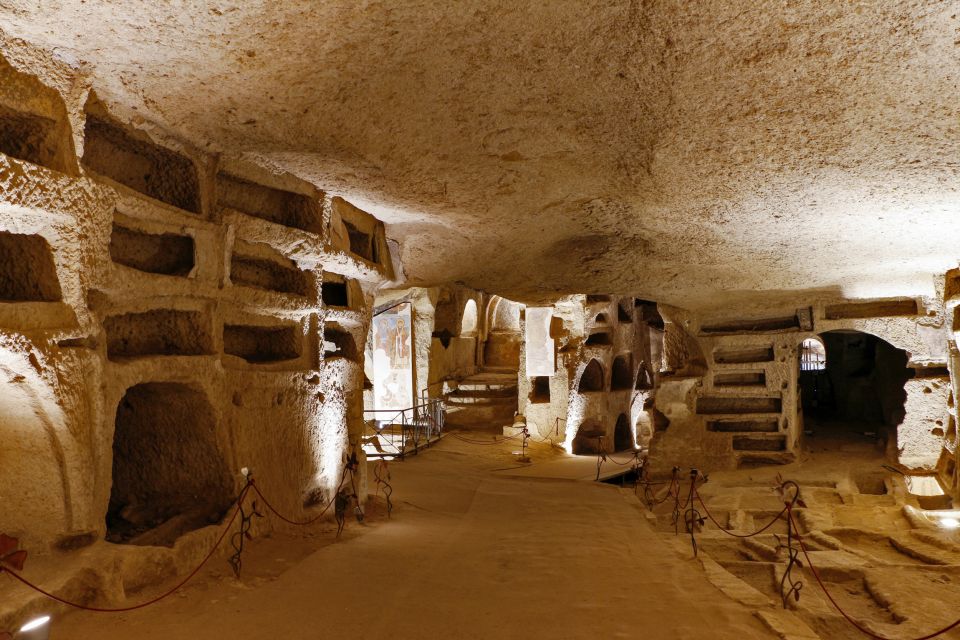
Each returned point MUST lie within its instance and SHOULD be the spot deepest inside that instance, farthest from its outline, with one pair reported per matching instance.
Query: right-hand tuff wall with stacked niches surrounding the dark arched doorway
(743, 407)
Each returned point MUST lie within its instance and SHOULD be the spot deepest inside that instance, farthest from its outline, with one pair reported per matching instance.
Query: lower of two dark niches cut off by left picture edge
(27, 271)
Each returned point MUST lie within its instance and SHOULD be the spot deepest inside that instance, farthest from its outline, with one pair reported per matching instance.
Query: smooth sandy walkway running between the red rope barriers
(469, 553)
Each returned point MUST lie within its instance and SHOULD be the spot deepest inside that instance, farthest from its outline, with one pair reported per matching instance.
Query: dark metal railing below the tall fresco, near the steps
(389, 433)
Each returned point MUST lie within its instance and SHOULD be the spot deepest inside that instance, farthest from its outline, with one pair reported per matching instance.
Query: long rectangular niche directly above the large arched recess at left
(161, 332)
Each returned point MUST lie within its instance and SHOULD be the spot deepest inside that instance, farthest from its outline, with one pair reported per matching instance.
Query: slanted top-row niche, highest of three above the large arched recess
(152, 170)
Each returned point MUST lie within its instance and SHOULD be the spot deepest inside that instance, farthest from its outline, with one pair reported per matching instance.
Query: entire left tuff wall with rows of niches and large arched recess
(162, 325)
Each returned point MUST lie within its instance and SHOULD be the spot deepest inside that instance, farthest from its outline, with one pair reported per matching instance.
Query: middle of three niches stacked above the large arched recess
(163, 253)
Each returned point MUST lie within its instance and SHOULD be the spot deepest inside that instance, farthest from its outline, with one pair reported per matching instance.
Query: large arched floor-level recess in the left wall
(169, 476)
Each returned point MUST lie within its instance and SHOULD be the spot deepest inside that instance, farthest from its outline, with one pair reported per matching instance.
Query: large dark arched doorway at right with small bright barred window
(851, 383)
